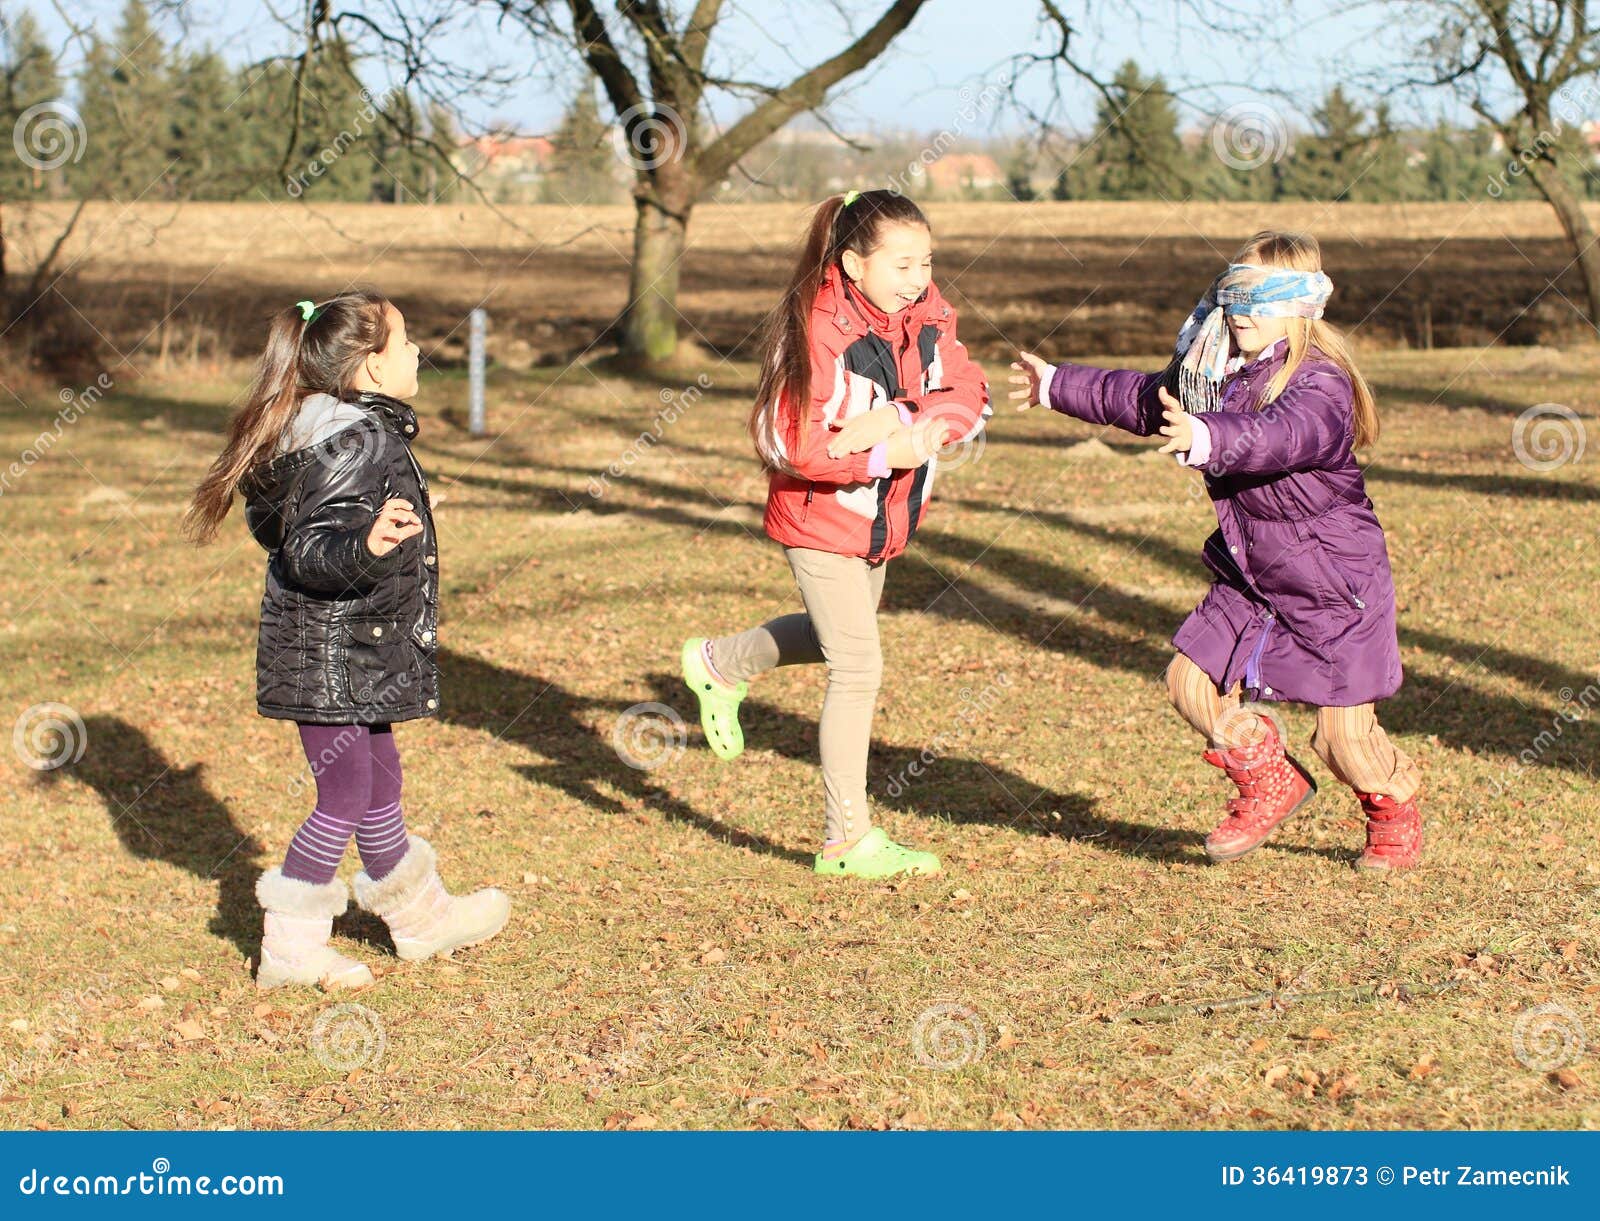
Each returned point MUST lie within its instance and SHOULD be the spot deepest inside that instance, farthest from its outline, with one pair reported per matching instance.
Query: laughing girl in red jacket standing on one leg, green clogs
(863, 380)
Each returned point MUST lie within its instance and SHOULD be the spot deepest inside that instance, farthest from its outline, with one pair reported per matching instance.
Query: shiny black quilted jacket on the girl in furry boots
(346, 636)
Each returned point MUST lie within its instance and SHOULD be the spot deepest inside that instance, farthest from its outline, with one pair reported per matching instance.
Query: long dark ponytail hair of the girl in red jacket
(786, 348)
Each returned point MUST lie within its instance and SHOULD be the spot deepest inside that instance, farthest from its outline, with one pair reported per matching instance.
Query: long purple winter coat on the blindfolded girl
(1303, 606)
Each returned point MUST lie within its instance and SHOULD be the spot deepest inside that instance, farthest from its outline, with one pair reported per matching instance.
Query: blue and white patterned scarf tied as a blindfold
(1206, 345)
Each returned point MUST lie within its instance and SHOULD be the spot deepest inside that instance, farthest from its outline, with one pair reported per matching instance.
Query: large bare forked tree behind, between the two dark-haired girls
(657, 68)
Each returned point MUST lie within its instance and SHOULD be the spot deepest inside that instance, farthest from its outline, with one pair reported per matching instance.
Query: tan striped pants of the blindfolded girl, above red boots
(1348, 740)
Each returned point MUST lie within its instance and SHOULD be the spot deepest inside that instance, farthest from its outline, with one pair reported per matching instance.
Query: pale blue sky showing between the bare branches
(935, 74)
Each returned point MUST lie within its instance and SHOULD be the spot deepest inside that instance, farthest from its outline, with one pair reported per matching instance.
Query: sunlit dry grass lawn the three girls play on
(671, 959)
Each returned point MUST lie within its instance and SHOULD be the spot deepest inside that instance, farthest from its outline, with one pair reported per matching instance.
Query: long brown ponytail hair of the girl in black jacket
(321, 354)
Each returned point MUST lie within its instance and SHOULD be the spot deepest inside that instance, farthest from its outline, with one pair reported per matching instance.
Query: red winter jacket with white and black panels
(863, 359)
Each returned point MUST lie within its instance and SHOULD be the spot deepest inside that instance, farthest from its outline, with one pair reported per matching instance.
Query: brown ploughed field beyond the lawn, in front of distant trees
(1410, 276)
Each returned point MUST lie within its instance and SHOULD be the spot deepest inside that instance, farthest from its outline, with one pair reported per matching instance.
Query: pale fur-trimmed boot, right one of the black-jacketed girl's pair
(423, 918)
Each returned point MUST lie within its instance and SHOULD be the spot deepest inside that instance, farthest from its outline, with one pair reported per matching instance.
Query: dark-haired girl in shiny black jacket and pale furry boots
(322, 457)
